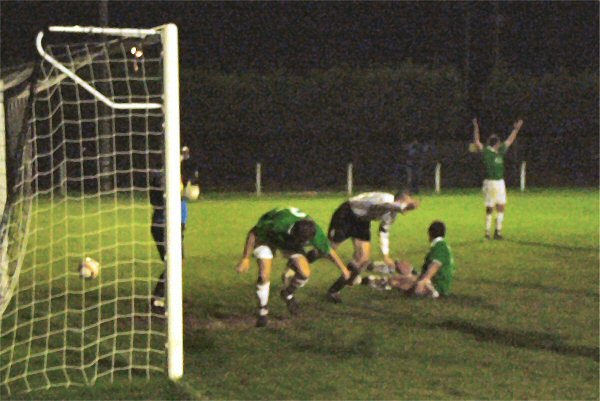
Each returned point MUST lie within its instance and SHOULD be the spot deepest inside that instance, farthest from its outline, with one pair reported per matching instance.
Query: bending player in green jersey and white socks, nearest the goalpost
(289, 230)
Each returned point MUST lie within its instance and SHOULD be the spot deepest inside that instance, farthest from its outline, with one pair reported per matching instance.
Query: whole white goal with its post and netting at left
(57, 156)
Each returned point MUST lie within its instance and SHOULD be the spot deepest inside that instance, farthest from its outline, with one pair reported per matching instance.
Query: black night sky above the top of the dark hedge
(532, 37)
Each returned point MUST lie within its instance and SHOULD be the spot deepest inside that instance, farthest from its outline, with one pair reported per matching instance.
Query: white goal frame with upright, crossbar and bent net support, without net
(170, 106)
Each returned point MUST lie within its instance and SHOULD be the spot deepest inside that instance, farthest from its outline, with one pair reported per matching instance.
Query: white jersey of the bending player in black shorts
(377, 206)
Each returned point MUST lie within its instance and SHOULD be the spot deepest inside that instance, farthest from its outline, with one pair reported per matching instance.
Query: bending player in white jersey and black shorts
(352, 219)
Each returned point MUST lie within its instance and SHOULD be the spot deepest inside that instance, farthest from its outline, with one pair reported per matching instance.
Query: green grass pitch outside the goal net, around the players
(522, 322)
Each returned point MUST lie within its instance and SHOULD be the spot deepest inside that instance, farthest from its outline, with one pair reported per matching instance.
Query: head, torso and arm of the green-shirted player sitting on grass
(439, 266)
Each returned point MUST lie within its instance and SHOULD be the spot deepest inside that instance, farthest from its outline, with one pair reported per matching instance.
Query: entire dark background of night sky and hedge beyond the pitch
(306, 87)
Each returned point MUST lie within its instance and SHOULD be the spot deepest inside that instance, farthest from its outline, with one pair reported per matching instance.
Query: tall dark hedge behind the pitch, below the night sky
(305, 129)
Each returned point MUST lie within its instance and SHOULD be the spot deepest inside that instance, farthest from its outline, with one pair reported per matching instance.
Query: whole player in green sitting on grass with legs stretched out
(436, 275)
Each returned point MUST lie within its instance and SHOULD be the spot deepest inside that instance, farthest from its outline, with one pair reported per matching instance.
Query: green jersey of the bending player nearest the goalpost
(274, 228)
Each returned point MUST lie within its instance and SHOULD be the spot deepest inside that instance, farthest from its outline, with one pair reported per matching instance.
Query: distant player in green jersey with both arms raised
(494, 188)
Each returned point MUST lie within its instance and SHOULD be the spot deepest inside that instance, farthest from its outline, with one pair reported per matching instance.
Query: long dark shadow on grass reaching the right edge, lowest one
(519, 339)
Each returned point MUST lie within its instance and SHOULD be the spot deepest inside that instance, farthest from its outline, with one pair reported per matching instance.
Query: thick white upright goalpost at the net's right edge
(173, 202)
